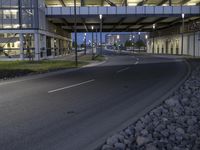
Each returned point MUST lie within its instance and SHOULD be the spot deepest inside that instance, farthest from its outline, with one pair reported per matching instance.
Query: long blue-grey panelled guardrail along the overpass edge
(122, 10)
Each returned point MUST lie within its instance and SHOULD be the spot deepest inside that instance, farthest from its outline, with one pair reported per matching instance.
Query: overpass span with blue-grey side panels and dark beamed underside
(121, 18)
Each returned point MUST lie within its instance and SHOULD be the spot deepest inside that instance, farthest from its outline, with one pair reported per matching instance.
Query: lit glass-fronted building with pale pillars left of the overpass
(24, 31)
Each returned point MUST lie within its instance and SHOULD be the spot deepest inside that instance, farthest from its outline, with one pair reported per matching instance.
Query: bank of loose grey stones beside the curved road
(173, 125)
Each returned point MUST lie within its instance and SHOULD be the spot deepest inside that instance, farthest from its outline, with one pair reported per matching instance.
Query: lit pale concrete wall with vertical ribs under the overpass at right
(173, 44)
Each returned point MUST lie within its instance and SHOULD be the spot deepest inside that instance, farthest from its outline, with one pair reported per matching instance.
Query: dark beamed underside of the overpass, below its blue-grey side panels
(119, 23)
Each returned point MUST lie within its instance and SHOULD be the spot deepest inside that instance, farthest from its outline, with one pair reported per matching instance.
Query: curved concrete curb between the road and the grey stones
(154, 105)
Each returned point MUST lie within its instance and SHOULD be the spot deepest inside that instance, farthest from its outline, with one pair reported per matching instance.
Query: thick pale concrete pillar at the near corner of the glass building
(37, 46)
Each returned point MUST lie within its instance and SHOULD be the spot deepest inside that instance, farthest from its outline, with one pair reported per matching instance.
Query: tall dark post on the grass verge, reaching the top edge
(75, 31)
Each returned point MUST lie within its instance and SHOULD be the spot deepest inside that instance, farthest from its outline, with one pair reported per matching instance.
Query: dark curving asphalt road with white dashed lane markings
(77, 110)
